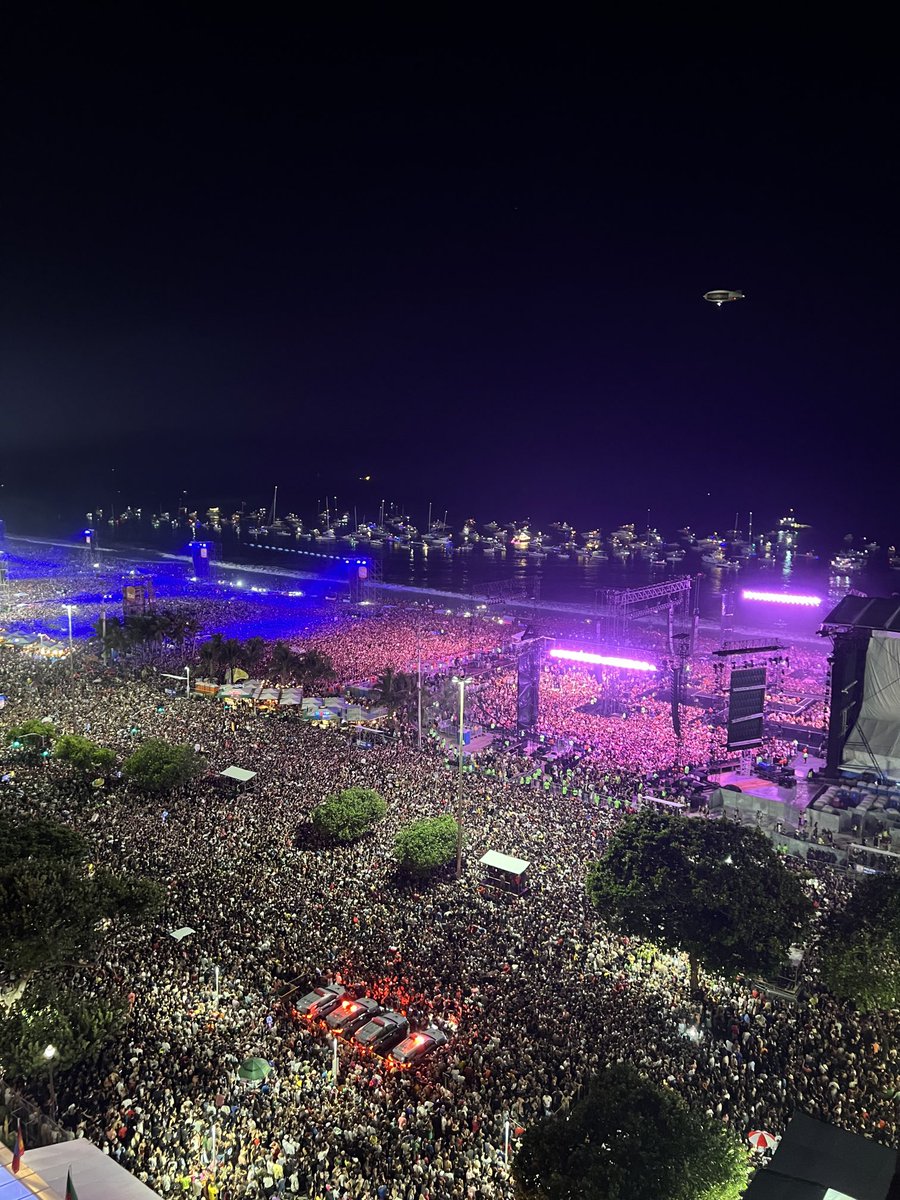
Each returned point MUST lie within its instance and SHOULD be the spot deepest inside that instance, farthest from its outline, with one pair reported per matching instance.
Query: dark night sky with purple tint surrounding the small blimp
(467, 262)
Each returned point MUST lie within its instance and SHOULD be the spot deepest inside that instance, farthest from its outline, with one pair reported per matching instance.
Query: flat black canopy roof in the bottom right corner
(815, 1160)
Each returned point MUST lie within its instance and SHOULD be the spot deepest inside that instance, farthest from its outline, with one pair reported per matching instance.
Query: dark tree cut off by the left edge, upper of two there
(55, 903)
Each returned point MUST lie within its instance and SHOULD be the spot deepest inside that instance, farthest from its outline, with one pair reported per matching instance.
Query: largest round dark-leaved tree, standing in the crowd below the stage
(713, 890)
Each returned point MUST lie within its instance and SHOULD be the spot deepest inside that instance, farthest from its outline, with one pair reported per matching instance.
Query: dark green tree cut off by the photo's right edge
(860, 957)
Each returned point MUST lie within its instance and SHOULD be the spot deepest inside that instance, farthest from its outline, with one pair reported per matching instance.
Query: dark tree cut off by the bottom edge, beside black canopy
(629, 1139)
